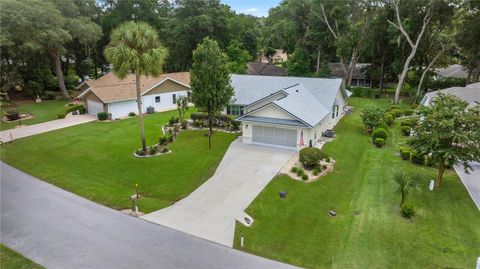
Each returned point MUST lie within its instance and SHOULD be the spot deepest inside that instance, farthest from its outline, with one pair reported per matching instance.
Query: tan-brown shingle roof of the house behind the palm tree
(109, 88)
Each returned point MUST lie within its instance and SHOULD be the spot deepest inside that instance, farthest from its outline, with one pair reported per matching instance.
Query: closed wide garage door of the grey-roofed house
(274, 136)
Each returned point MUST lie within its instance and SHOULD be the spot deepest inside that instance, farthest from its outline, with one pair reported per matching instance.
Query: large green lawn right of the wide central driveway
(369, 231)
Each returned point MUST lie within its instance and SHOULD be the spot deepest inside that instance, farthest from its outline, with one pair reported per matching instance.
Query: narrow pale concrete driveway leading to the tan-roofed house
(29, 130)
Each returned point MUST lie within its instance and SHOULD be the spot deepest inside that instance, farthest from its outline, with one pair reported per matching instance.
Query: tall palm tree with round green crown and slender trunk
(135, 48)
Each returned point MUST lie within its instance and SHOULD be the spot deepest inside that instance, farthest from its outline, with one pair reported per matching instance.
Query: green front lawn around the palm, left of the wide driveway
(95, 160)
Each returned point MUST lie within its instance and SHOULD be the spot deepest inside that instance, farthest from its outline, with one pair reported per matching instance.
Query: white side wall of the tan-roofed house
(122, 108)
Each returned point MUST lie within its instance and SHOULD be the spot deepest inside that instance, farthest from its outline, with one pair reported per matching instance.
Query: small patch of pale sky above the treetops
(257, 8)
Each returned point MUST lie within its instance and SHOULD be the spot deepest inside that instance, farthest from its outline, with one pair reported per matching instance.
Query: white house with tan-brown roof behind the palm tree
(117, 97)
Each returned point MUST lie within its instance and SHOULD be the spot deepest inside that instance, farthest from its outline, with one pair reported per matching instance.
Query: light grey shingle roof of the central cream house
(307, 99)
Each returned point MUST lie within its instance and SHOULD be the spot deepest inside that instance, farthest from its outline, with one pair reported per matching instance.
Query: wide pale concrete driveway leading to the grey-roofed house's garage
(211, 210)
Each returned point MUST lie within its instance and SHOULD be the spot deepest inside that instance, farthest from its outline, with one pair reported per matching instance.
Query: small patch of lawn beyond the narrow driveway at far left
(44, 111)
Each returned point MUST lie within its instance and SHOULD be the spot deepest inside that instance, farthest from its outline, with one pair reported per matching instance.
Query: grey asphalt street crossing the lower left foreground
(58, 229)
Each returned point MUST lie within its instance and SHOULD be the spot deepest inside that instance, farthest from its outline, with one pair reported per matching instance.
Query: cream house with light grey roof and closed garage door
(290, 112)
